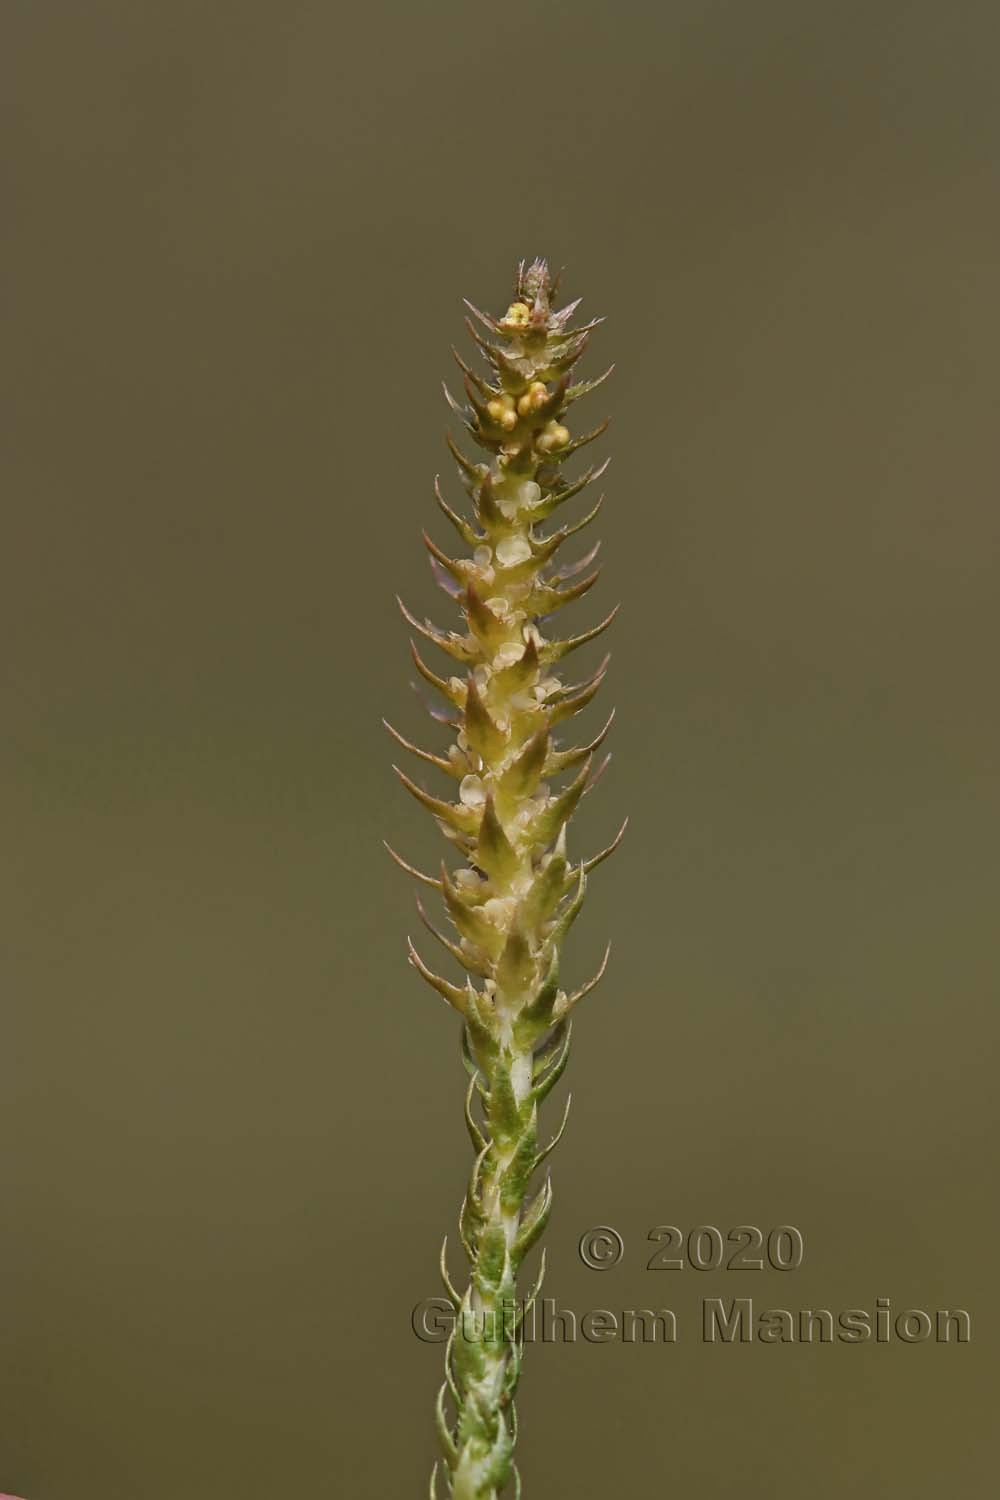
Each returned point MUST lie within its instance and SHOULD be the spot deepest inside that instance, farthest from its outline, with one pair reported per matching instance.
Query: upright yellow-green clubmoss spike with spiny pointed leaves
(515, 788)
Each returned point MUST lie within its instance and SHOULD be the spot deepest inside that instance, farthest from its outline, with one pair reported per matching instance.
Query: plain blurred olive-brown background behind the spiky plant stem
(238, 238)
